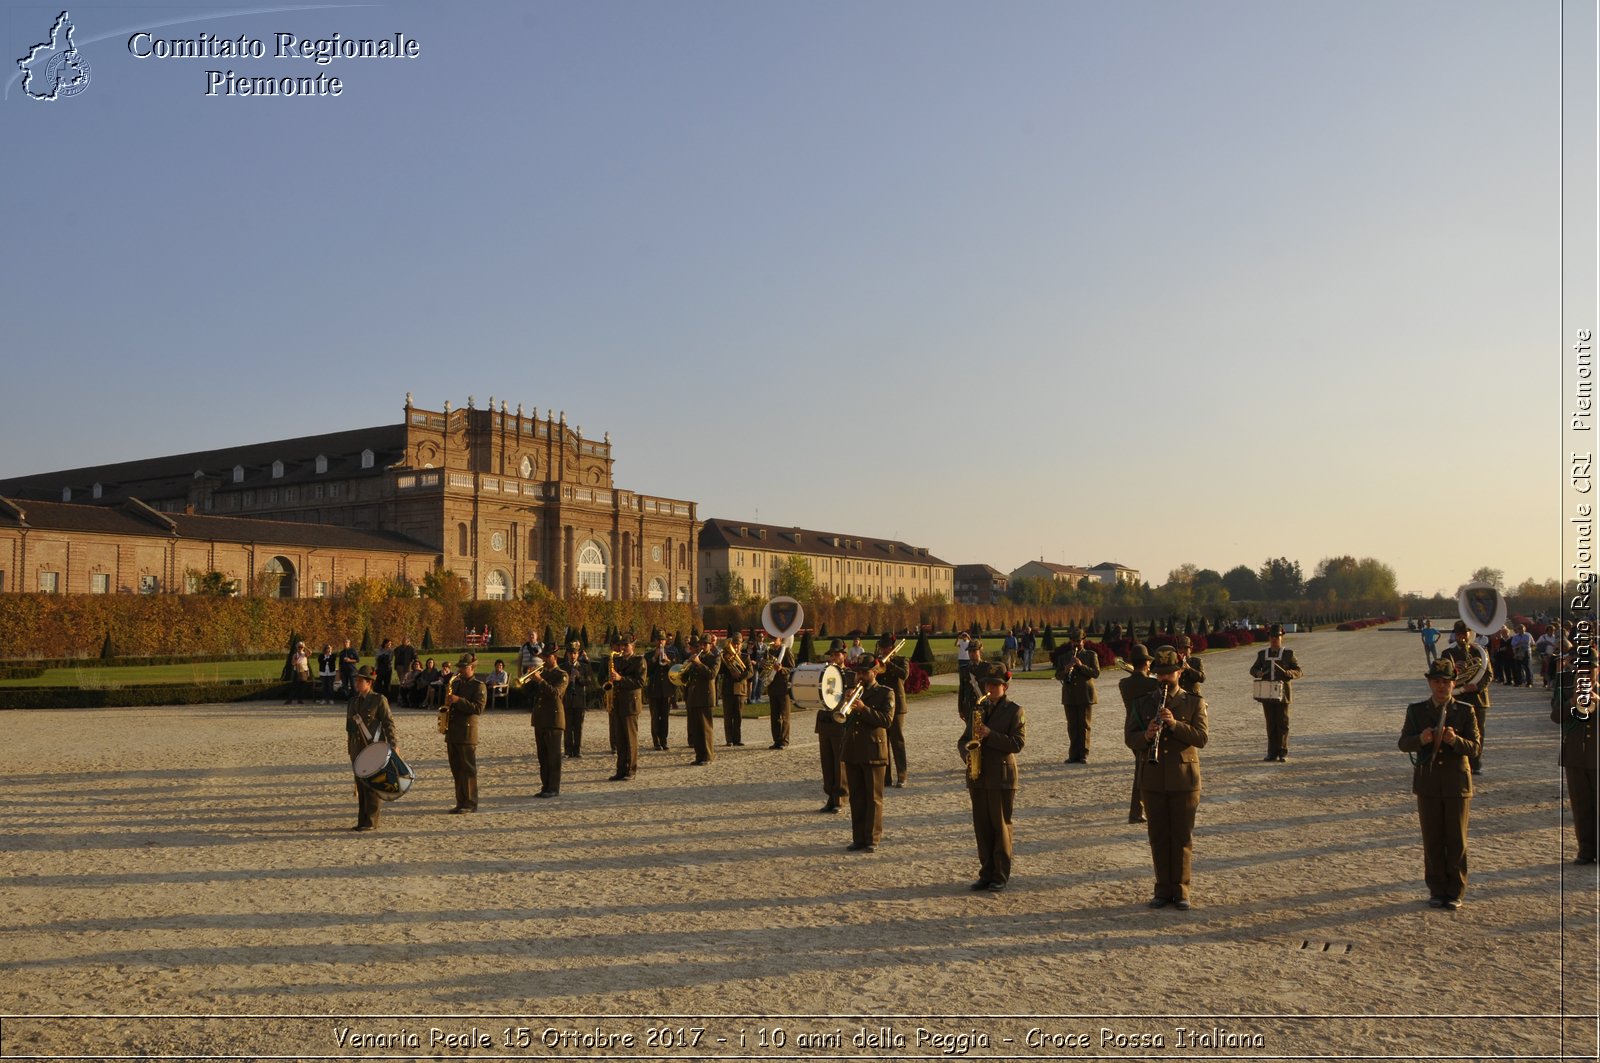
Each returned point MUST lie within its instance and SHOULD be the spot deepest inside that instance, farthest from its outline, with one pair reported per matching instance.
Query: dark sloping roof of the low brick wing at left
(135, 518)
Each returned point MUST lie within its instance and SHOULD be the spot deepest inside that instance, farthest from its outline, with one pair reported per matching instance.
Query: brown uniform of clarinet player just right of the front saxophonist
(1170, 787)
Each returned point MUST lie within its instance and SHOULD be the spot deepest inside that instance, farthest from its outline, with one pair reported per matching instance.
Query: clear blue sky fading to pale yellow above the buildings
(1082, 279)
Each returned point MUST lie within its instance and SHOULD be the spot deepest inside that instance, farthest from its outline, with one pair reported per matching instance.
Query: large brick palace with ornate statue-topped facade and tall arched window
(498, 497)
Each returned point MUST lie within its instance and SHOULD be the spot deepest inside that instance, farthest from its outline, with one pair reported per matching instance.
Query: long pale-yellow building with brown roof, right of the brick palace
(873, 571)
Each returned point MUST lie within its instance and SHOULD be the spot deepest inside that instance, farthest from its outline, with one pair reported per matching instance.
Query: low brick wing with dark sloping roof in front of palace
(62, 548)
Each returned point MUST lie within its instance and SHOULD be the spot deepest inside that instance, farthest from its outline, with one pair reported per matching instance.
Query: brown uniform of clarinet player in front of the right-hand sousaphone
(1444, 793)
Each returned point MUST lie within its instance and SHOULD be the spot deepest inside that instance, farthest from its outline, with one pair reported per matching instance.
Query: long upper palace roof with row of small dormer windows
(172, 476)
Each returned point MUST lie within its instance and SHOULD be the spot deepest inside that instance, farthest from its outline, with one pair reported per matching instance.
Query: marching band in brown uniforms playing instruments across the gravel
(860, 710)
